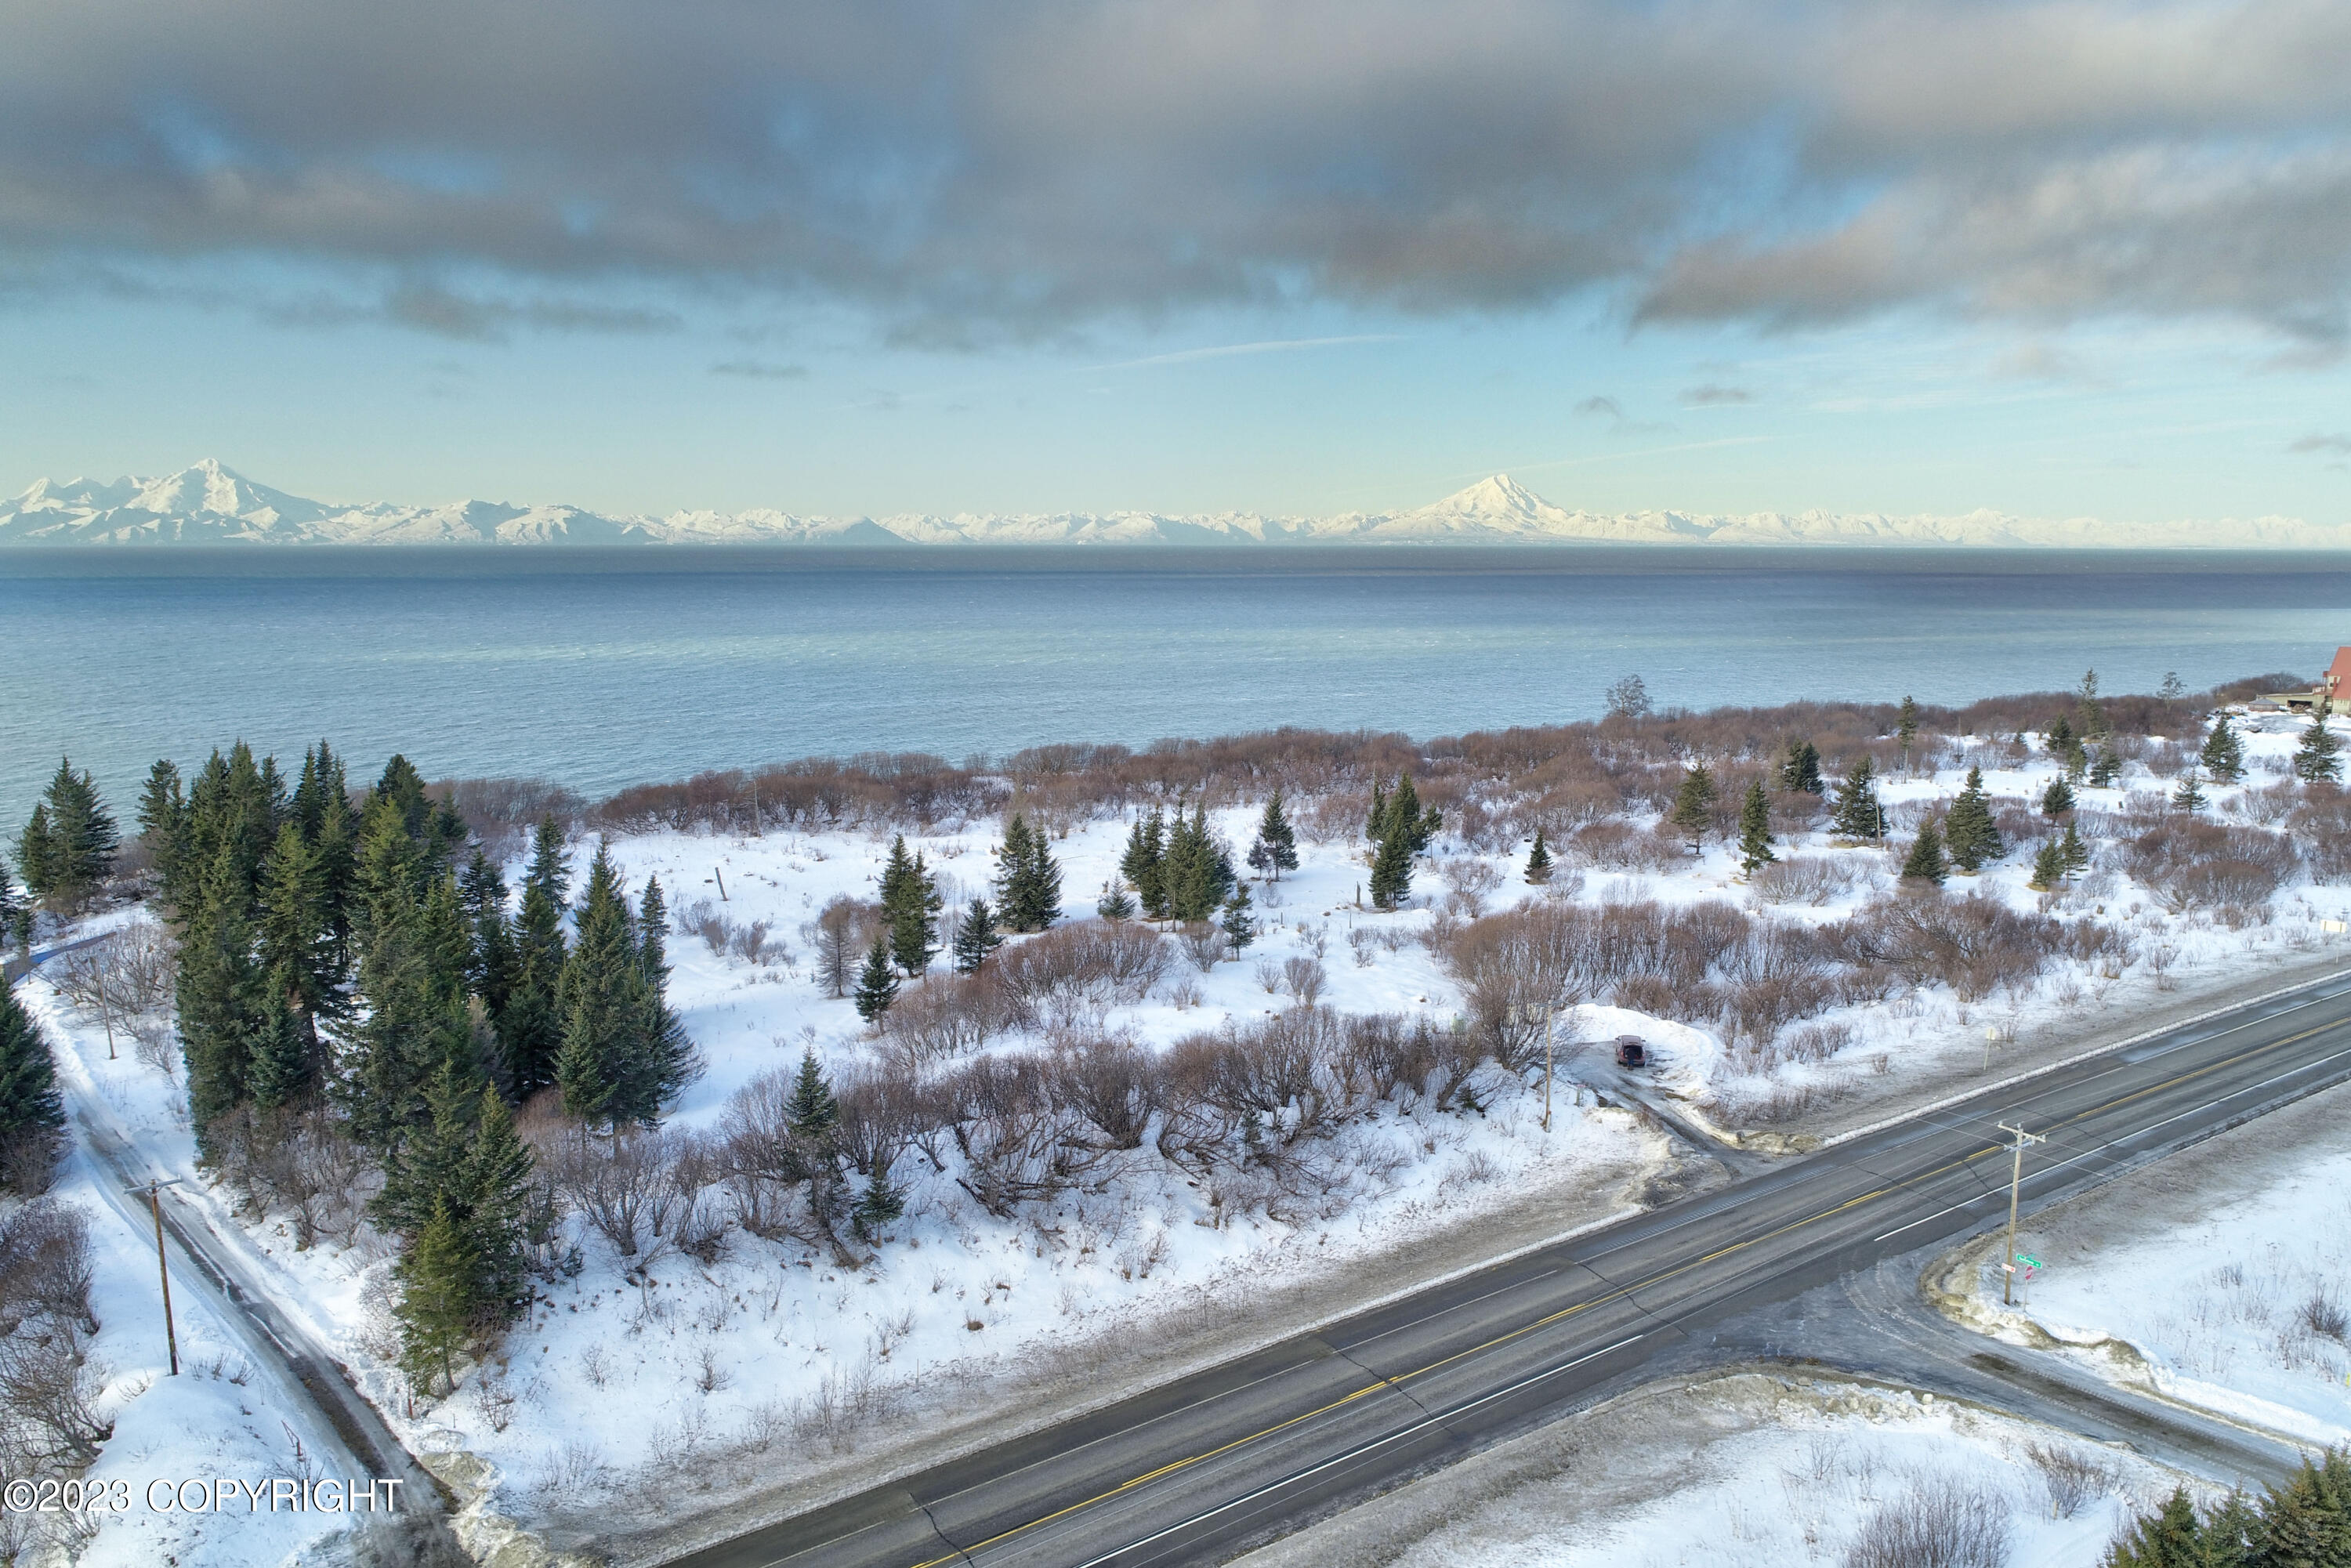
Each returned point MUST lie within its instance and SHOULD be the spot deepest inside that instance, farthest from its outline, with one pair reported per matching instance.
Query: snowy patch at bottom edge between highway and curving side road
(1748, 1470)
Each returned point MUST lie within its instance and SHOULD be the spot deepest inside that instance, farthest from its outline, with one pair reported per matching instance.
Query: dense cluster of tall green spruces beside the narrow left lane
(335, 956)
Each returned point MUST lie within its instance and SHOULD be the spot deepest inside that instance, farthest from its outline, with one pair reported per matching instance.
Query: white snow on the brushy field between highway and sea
(629, 1374)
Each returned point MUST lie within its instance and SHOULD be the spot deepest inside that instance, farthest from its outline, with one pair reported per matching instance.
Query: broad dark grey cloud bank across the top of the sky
(1031, 166)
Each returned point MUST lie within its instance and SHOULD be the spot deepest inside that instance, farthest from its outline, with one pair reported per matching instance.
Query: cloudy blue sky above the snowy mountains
(2084, 260)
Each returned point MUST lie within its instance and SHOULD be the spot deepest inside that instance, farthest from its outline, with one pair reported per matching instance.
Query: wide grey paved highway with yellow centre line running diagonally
(1233, 1456)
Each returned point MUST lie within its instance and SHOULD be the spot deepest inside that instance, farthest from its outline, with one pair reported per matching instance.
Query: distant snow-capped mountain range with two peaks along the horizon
(217, 507)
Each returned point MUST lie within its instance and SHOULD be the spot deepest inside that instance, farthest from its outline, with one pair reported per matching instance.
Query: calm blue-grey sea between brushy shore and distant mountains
(615, 666)
